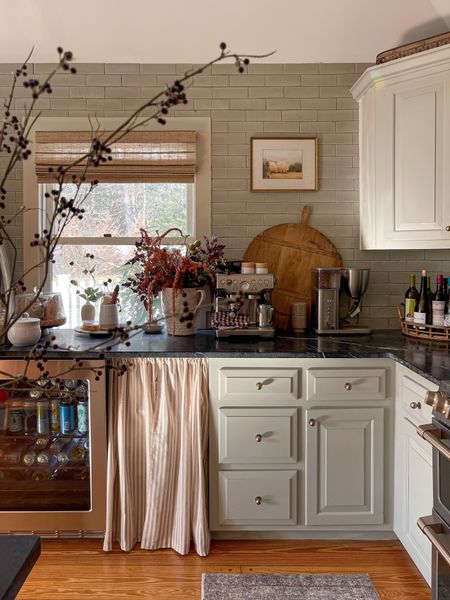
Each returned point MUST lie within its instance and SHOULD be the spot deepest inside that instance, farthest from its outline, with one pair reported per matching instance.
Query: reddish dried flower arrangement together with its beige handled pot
(180, 274)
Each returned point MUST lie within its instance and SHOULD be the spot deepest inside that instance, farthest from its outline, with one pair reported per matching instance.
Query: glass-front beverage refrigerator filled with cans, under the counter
(52, 449)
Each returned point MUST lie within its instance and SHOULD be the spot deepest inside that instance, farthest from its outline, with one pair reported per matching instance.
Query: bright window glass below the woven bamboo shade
(114, 214)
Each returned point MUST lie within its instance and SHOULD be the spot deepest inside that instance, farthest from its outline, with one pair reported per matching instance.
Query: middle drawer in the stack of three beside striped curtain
(257, 435)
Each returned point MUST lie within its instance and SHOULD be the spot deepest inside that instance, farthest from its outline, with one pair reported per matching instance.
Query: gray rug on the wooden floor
(224, 586)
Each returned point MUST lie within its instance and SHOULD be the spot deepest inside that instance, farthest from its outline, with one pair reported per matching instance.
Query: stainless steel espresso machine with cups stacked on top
(242, 305)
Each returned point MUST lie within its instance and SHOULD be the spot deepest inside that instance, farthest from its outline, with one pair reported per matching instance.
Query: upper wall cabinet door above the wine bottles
(411, 158)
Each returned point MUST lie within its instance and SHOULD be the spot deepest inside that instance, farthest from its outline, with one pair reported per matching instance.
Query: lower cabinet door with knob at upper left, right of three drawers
(344, 466)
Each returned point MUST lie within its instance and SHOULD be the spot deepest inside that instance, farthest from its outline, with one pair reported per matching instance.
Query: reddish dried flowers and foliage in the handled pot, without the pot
(189, 266)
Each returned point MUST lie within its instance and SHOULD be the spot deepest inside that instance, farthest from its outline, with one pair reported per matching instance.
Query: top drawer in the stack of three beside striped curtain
(260, 383)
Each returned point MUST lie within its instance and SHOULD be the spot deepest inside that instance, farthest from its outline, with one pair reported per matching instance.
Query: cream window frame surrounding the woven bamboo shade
(33, 221)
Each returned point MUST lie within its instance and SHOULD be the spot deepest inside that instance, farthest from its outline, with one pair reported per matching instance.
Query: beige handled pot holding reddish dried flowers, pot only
(180, 309)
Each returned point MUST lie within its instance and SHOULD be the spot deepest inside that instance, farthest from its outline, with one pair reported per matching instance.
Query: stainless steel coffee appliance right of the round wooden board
(328, 283)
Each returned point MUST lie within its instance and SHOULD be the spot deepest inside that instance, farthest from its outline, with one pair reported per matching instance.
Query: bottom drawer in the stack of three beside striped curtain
(257, 497)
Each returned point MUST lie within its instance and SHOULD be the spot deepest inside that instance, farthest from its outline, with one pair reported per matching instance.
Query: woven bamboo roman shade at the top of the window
(139, 156)
